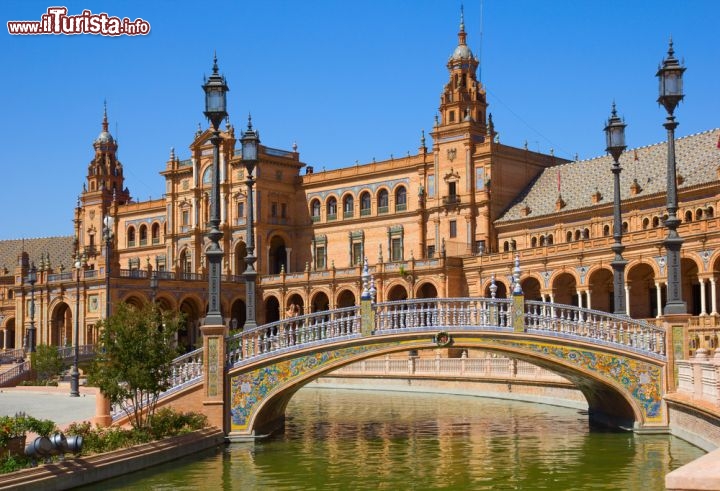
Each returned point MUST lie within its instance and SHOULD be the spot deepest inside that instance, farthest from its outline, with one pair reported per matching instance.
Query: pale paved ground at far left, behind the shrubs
(53, 403)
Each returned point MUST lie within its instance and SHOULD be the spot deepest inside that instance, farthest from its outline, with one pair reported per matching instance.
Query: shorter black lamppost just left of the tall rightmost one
(615, 137)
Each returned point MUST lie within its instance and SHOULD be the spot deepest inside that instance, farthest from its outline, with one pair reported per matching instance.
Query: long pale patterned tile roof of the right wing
(697, 158)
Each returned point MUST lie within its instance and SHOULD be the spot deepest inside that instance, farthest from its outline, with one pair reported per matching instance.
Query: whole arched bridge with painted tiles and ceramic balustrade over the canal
(244, 382)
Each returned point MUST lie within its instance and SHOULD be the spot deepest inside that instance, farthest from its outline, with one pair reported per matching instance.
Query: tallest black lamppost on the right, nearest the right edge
(670, 76)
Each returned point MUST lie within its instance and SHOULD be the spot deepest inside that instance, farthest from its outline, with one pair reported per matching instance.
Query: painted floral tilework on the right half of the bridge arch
(641, 379)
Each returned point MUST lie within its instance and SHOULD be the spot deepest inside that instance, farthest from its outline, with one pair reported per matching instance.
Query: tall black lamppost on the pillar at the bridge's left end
(215, 110)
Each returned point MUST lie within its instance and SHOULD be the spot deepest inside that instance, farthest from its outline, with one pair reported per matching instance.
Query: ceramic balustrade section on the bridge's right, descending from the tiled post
(598, 327)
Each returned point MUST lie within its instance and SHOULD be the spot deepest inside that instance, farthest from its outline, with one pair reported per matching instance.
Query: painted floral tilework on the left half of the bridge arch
(249, 389)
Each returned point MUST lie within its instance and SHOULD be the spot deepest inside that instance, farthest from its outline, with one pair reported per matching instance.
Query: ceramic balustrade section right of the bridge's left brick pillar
(293, 333)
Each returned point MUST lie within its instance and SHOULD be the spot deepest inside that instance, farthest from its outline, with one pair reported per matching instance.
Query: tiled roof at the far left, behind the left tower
(60, 250)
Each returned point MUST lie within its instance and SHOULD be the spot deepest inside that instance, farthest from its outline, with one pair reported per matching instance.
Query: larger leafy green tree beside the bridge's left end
(133, 362)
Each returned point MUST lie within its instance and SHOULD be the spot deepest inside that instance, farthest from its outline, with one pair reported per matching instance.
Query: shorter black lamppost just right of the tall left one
(250, 143)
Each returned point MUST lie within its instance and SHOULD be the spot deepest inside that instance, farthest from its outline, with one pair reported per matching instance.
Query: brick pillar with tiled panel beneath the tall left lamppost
(214, 374)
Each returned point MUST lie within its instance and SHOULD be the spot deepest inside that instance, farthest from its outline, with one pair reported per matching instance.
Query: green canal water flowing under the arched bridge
(363, 440)
